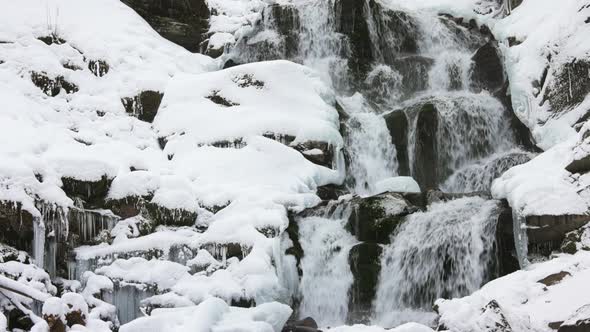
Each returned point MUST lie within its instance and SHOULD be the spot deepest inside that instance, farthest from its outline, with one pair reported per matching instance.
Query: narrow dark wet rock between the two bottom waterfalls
(365, 265)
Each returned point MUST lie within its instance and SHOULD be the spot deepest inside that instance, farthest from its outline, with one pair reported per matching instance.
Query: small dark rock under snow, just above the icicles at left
(92, 193)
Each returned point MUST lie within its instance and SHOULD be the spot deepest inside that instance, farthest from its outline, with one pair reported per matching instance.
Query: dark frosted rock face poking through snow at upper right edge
(568, 86)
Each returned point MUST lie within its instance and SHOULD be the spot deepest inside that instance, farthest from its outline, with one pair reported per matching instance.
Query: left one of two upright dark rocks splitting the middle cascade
(397, 123)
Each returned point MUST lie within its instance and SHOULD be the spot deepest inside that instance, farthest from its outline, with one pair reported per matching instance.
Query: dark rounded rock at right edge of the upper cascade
(488, 71)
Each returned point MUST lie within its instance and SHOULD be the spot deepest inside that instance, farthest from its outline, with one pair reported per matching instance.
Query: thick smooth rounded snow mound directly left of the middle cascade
(277, 97)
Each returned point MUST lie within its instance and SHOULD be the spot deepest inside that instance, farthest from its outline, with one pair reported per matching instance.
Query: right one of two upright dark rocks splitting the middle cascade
(426, 154)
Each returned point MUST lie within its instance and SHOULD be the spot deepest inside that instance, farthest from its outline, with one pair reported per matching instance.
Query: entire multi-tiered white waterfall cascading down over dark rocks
(402, 62)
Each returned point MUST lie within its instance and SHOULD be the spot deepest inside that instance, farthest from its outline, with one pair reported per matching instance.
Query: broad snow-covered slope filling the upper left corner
(42, 135)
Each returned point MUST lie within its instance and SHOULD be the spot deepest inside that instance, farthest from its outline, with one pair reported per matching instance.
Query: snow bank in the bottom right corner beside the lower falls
(527, 304)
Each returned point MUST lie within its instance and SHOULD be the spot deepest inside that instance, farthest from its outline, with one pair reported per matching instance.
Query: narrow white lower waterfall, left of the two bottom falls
(326, 277)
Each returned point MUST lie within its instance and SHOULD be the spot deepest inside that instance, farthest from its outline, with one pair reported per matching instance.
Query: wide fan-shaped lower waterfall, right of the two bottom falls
(445, 251)
